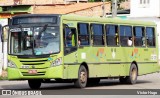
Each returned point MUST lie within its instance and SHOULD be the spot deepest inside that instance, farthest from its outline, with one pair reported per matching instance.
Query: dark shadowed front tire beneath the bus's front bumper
(34, 84)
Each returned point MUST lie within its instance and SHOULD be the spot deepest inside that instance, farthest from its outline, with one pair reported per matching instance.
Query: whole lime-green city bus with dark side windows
(46, 48)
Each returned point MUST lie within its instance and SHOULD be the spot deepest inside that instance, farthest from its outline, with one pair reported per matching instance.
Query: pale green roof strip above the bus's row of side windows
(107, 20)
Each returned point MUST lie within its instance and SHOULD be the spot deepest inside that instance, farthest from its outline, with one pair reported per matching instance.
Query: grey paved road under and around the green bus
(150, 81)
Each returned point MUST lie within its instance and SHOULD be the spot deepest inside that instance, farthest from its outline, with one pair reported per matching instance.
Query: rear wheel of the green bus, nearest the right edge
(132, 78)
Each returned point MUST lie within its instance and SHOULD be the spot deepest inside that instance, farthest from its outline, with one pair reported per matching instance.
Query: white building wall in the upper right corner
(145, 8)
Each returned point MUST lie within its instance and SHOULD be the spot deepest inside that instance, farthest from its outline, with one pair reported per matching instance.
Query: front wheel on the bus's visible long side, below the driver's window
(81, 82)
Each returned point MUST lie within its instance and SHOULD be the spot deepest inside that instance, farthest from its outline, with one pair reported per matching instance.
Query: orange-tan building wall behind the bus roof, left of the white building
(84, 9)
